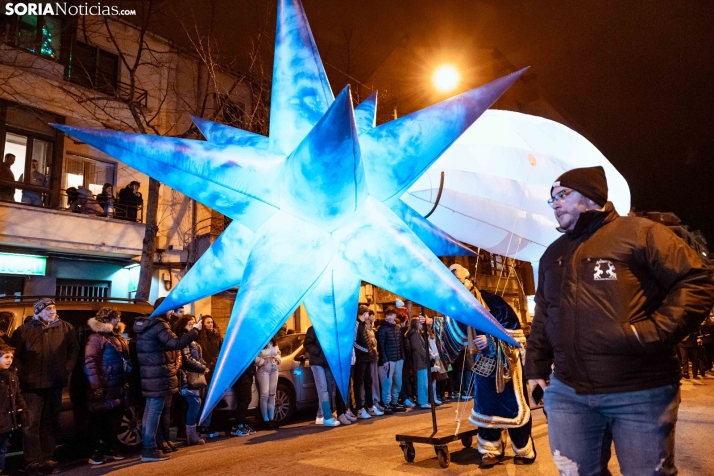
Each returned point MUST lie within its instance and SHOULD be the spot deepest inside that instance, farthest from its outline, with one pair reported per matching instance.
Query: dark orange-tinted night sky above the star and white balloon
(635, 77)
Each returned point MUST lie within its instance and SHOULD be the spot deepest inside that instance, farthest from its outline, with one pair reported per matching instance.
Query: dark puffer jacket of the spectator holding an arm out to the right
(155, 348)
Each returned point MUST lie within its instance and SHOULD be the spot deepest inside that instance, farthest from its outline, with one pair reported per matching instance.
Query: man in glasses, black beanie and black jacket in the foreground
(615, 296)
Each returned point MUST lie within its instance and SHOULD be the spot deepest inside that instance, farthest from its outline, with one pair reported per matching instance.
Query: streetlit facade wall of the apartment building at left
(178, 84)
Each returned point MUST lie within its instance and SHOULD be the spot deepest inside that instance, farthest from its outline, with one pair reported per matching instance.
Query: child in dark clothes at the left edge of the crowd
(11, 402)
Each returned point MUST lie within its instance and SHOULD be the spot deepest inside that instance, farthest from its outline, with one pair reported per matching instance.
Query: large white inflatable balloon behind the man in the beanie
(497, 179)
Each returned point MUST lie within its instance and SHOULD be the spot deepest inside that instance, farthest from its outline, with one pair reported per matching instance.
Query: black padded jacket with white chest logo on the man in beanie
(595, 284)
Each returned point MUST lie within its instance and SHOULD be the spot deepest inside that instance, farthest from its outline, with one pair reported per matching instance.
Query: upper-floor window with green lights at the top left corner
(38, 34)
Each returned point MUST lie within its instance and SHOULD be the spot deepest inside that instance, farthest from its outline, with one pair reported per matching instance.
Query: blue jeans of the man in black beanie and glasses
(641, 424)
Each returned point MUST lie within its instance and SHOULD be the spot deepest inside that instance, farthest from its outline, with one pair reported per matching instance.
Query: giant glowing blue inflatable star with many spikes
(315, 205)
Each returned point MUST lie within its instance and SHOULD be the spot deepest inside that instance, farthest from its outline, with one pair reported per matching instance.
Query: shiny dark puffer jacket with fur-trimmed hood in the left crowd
(104, 357)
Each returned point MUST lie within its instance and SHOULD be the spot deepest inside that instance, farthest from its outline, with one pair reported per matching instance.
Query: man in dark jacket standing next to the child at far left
(46, 353)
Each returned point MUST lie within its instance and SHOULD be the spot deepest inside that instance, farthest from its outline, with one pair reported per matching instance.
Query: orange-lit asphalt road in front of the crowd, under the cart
(369, 448)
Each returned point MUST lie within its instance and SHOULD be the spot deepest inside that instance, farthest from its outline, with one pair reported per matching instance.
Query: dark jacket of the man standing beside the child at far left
(45, 355)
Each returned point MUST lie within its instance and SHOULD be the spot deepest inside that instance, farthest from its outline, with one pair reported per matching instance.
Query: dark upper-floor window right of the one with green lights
(93, 68)
